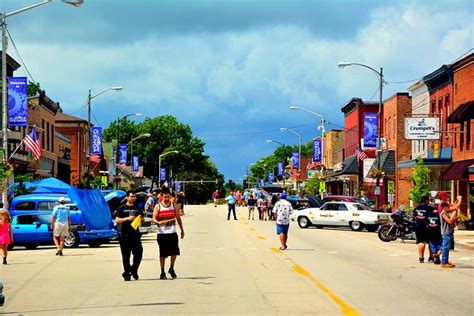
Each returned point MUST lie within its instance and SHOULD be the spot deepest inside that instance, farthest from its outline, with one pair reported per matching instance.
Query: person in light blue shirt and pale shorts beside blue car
(60, 225)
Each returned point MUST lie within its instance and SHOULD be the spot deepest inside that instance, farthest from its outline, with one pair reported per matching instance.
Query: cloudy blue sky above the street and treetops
(230, 69)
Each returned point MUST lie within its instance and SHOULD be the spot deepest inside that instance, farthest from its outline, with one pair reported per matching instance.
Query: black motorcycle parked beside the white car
(400, 226)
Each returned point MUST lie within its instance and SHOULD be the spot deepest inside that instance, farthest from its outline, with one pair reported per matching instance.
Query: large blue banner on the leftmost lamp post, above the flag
(18, 101)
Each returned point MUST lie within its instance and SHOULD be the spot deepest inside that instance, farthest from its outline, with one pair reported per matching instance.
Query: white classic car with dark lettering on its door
(355, 215)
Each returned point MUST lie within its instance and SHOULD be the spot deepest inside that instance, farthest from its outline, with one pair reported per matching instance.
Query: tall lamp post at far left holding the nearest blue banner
(4, 16)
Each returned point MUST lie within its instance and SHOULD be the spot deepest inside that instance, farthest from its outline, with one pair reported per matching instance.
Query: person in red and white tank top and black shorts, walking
(165, 215)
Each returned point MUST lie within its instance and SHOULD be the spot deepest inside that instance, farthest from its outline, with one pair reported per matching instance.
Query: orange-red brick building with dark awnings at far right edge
(461, 120)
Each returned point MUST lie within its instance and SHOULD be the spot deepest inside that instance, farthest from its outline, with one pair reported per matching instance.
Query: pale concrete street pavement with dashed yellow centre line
(235, 267)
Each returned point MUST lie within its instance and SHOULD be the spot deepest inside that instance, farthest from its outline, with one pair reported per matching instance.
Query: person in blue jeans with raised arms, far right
(448, 221)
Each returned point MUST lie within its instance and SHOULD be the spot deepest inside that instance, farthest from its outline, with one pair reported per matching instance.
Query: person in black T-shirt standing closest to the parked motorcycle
(420, 212)
